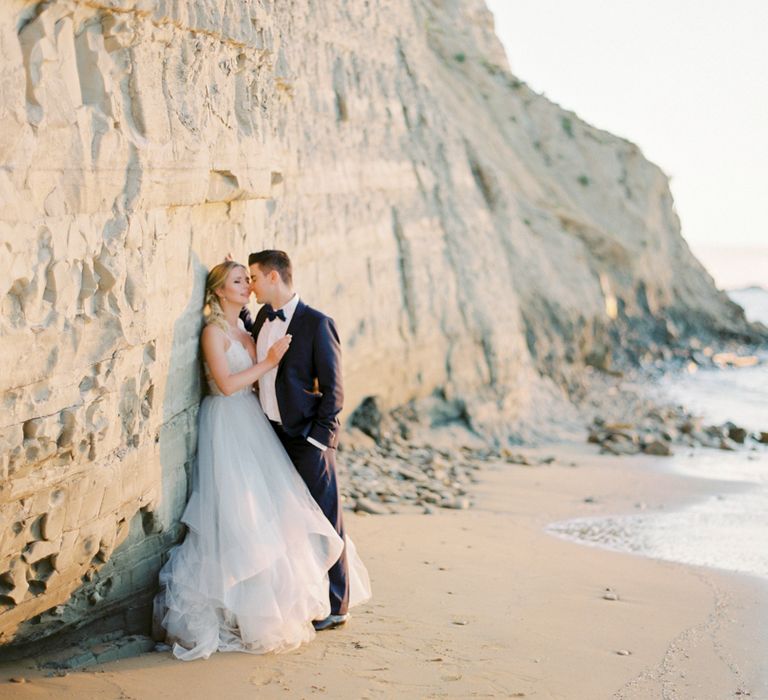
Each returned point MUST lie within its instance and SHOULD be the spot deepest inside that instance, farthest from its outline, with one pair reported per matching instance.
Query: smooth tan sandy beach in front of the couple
(485, 603)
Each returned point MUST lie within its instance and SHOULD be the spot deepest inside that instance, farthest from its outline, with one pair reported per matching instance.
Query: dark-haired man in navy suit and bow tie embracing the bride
(303, 396)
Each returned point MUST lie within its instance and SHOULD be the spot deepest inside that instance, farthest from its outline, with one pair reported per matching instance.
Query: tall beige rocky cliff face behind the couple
(472, 240)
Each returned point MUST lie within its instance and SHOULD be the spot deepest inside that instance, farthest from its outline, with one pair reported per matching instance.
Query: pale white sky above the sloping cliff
(686, 80)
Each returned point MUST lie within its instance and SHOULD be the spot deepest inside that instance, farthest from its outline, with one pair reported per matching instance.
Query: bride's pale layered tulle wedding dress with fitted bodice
(251, 574)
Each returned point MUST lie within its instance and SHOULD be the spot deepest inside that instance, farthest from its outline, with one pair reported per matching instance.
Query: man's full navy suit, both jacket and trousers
(309, 394)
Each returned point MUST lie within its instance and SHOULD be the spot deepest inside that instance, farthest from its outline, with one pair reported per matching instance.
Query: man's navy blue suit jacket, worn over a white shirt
(308, 384)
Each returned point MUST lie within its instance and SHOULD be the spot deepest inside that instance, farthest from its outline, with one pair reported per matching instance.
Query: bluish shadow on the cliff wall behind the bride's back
(115, 598)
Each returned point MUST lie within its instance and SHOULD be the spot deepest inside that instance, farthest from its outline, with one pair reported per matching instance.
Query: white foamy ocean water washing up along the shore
(728, 530)
